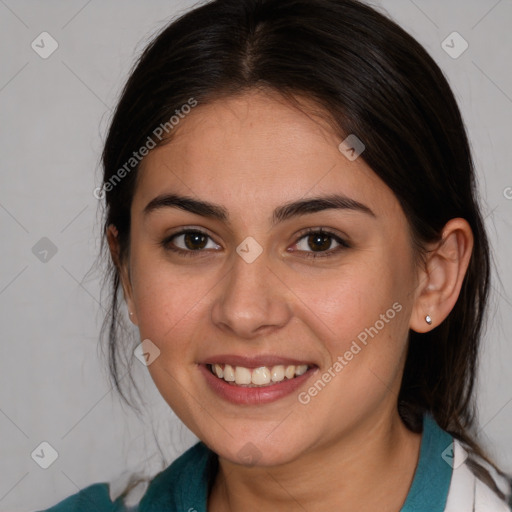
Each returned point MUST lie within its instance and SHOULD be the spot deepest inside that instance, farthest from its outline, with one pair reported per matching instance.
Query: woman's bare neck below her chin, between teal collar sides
(379, 456)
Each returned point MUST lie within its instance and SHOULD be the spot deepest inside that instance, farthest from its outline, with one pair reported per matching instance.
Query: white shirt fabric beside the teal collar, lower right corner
(467, 493)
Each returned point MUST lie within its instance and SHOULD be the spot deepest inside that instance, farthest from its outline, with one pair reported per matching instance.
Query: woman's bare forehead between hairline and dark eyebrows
(257, 149)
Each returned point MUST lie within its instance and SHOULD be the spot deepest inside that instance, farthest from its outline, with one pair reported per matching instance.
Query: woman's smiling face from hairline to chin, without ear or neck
(247, 288)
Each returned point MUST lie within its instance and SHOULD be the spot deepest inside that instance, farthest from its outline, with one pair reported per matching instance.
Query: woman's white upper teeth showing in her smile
(258, 376)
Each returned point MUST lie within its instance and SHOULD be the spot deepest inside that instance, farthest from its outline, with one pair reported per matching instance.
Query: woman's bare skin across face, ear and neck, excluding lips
(347, 449)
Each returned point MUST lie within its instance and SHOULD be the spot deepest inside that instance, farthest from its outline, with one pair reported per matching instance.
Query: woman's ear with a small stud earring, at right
(441, 278)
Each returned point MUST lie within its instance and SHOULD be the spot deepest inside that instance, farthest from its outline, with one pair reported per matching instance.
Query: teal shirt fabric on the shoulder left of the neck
(182, 474)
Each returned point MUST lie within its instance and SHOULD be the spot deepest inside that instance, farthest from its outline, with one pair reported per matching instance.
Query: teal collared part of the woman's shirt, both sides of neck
(183, 486)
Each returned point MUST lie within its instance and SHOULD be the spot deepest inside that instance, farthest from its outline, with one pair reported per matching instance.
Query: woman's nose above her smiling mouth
(251, 300)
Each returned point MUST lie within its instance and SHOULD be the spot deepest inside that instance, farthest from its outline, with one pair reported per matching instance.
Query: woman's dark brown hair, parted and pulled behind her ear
(370, 78)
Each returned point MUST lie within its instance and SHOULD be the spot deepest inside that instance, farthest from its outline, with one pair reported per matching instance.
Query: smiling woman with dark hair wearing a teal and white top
(291, 214)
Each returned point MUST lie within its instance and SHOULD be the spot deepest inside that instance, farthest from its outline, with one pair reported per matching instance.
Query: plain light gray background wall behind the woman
(54, 113)
